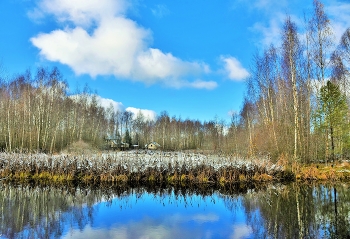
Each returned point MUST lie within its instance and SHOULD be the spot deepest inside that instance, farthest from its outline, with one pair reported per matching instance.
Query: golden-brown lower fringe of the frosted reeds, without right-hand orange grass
(153, 177)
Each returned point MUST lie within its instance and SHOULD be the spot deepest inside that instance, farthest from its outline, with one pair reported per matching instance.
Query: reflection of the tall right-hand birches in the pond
(299, 211)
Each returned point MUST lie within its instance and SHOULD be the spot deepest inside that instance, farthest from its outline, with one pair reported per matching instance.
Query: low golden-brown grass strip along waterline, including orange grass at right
(304, 173)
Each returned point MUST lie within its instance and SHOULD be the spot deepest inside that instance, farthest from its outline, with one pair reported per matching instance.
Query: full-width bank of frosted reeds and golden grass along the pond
(145, 167)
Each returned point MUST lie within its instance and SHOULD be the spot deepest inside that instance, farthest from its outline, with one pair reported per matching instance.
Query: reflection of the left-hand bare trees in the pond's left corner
(42, 212)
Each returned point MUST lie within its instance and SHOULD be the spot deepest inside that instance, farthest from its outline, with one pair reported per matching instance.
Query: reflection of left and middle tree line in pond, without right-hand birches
(42, 212)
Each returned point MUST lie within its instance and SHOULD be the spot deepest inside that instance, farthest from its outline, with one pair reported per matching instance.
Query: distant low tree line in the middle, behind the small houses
(172, 133)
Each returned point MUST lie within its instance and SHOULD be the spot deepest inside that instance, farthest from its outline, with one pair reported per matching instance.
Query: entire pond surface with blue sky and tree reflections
(239, 211)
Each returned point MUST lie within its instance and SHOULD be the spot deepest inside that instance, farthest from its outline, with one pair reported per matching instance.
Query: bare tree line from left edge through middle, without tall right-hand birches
(38, 115)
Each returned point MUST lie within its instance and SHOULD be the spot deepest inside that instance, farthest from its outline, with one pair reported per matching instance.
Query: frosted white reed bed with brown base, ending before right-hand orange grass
(156, 168)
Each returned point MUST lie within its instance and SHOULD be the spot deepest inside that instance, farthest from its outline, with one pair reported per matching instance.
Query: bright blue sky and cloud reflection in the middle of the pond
(154, 216)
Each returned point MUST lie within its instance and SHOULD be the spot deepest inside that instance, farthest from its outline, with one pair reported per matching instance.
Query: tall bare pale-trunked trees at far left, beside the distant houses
(37, 114)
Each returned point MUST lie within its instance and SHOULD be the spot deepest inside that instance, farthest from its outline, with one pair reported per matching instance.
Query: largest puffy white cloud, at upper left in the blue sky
(98, 39)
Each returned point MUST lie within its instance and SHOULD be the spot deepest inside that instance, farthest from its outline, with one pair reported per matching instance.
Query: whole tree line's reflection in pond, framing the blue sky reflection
(273, 211)
